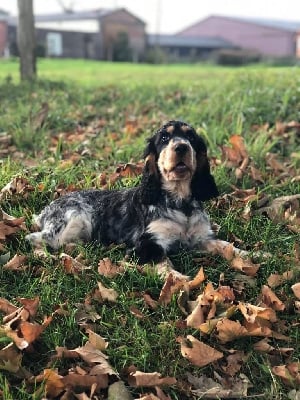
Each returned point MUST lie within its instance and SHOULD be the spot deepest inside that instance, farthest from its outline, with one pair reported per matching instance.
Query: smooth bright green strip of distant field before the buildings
(94, 72)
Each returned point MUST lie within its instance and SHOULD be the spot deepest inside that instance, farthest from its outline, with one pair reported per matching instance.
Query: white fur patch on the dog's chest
(175, 226)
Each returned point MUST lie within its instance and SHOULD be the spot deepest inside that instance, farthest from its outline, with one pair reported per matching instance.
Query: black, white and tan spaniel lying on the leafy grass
(155, 219)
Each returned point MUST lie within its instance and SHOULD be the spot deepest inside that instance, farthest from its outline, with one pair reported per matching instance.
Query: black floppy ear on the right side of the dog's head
(203, 184)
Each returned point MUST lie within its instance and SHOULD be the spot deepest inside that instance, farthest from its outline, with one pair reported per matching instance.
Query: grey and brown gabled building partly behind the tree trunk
(101, 34)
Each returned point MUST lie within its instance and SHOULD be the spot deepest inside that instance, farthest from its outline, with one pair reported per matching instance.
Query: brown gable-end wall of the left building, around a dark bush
(123, 22)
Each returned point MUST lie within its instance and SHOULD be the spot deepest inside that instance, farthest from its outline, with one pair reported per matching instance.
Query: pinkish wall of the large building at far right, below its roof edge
(268, 41)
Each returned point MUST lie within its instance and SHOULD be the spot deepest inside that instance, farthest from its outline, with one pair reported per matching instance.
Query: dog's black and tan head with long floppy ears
(176, 160)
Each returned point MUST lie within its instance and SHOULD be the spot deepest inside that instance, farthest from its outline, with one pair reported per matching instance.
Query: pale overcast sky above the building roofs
(170, 16)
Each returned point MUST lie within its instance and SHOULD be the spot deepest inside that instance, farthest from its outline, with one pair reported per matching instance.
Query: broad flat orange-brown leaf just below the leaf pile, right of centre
(198, 353)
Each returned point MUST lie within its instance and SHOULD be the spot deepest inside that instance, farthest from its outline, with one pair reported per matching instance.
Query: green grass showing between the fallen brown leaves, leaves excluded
(99, 101)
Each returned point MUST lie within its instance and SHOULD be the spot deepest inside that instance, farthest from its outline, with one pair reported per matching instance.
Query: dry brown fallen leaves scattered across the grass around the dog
(218, 314)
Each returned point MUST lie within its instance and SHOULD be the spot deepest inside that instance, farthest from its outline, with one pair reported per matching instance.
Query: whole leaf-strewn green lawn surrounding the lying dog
(84, 124)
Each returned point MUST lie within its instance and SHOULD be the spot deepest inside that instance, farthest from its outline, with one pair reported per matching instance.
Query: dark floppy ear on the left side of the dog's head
(150, 184)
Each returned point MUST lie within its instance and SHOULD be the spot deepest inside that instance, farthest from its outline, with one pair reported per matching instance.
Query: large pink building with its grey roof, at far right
(271, 38)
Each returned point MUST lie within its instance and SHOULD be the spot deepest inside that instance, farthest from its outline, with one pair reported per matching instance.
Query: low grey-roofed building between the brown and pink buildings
(187, 48)
